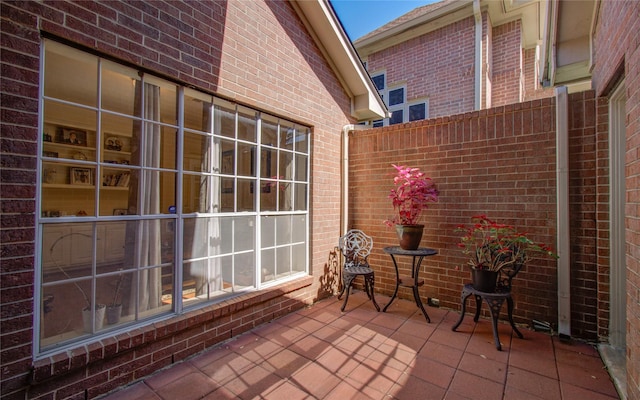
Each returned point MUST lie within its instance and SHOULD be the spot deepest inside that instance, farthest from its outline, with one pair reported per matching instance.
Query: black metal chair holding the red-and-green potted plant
(494, 300)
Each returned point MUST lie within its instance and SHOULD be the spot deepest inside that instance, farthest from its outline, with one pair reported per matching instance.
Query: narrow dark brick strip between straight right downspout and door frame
(586, 220)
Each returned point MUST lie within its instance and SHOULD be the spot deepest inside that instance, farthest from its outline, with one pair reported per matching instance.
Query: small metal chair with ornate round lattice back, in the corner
(356, 246)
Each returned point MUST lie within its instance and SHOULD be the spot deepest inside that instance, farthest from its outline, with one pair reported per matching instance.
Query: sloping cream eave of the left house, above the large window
(323, 25)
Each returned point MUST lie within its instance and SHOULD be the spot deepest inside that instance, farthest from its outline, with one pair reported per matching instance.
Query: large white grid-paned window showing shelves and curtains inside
(155, 198)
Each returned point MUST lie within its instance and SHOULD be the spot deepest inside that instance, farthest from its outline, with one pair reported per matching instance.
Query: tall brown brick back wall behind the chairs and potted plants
(499, 162)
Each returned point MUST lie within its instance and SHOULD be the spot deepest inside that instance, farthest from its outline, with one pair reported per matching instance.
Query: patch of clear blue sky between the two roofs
(360, 17)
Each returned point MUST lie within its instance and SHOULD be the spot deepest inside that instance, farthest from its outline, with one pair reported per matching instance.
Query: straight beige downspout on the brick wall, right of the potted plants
(562, 192)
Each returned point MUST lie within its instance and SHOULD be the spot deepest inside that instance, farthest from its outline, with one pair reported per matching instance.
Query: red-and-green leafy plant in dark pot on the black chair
(493, 246)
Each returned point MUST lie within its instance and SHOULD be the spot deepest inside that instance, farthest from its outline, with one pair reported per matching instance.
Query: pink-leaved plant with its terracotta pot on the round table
(412, 193)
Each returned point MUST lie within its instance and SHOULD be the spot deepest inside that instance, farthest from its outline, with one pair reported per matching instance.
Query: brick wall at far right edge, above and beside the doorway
(617, 54)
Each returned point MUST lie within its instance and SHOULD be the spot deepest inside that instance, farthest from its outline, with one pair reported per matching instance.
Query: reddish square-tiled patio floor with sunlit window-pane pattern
(321, 353)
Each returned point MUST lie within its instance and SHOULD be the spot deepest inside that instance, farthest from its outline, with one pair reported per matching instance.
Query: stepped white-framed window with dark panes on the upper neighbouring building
(396, 99)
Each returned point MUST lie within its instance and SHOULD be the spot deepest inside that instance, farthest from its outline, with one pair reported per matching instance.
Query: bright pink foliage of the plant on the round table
(412, 193)
